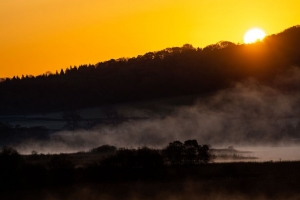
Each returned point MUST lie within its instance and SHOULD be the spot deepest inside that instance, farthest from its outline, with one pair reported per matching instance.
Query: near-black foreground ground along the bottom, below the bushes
(268, 180)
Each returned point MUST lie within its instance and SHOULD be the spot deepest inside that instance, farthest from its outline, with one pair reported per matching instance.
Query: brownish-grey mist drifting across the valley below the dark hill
(249, 116)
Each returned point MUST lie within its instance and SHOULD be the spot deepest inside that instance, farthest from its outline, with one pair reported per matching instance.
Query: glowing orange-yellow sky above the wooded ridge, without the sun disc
(46, 35)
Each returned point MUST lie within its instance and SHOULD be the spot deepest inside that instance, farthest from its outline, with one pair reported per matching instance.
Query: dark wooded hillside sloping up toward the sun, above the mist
(171, 72)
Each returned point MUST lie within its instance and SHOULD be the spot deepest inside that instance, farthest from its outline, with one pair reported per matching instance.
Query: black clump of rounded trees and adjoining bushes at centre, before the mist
(175, 154)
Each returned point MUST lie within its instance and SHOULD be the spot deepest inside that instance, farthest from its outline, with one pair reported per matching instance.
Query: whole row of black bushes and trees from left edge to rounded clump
(113, 164)
